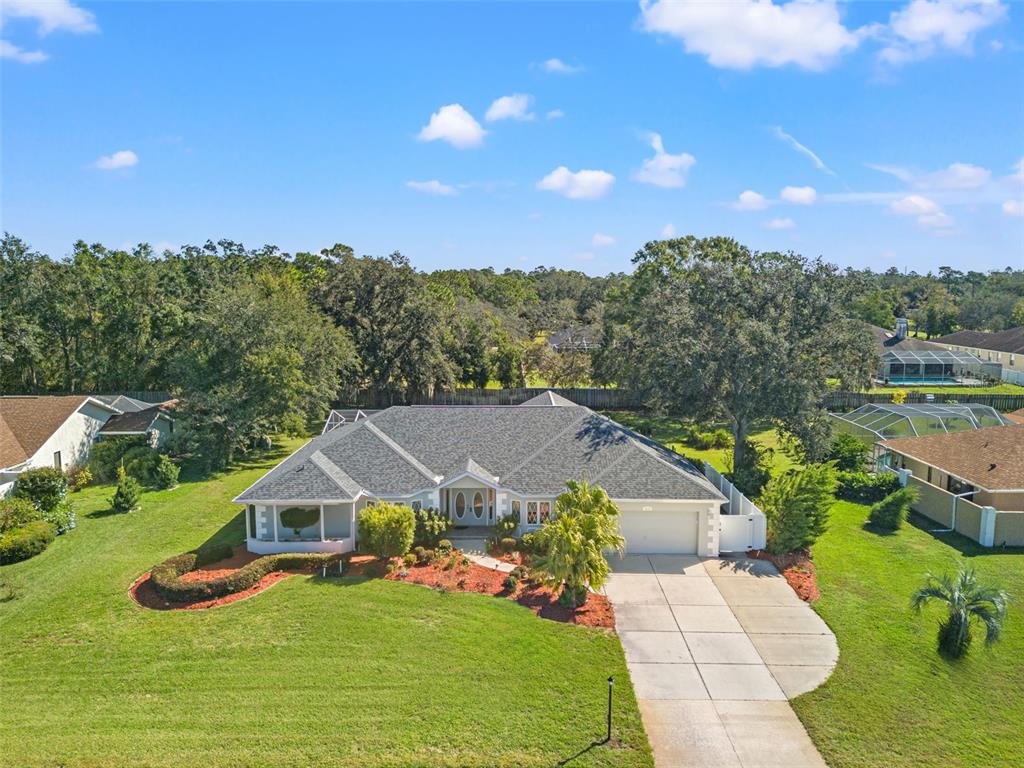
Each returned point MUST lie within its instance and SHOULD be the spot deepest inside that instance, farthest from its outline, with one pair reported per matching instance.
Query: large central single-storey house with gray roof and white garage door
(477, 464)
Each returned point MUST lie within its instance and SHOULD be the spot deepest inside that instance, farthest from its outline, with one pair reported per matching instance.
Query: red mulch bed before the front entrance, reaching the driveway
(596, 612)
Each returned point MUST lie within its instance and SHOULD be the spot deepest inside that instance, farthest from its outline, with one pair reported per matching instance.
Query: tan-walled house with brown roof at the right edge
(971, 482)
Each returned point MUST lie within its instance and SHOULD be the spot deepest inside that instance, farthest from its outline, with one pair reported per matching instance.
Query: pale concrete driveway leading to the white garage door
(715, 649)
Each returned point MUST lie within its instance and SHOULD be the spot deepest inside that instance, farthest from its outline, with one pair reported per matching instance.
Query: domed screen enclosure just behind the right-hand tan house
(881, 421)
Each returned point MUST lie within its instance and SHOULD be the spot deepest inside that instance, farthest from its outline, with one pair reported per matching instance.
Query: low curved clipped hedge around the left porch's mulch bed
(167, 580)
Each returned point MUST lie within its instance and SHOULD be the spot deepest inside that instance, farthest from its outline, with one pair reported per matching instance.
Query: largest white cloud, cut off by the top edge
(745, 34)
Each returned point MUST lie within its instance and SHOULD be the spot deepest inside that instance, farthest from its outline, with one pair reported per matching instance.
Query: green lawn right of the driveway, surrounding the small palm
(893, 702)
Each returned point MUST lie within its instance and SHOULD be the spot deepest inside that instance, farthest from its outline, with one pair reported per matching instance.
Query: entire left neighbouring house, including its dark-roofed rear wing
(60, 432)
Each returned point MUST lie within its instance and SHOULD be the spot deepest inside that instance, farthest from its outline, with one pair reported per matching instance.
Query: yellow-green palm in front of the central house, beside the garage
(573, 543)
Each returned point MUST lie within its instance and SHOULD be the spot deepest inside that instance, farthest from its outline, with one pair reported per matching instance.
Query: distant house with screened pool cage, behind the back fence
(906, 360)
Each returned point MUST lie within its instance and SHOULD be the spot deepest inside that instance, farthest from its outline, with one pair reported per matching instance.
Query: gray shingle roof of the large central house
(531, 449)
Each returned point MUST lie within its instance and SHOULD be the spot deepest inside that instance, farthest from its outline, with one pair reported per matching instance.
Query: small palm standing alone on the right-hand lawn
(967, 603)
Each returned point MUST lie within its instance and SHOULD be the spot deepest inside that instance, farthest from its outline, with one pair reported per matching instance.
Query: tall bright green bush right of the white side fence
(797, 505)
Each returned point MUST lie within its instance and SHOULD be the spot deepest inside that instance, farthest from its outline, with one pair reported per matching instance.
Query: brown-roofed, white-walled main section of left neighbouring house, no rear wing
(48, 432)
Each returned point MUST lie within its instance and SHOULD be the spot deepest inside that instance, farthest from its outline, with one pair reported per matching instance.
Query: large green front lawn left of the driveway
(336, 672)
